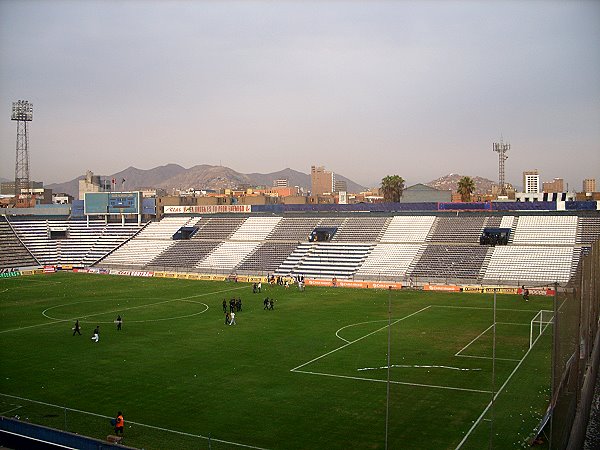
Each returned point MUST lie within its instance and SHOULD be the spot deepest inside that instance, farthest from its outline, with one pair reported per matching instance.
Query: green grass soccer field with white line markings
(310, 374)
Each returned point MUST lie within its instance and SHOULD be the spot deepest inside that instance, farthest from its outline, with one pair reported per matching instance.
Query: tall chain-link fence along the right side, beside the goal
(575, 361)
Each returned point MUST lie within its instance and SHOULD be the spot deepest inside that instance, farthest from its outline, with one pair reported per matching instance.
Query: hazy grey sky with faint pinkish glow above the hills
(367, 89)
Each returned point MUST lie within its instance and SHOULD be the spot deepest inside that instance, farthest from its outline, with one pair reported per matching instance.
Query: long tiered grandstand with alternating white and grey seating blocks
(543, 248)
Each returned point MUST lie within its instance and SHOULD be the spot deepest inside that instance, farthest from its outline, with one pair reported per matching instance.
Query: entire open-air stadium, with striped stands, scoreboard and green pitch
(394, 325)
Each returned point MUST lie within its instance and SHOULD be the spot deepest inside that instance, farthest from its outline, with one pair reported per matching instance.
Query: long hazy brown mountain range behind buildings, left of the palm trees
(173, 176)
